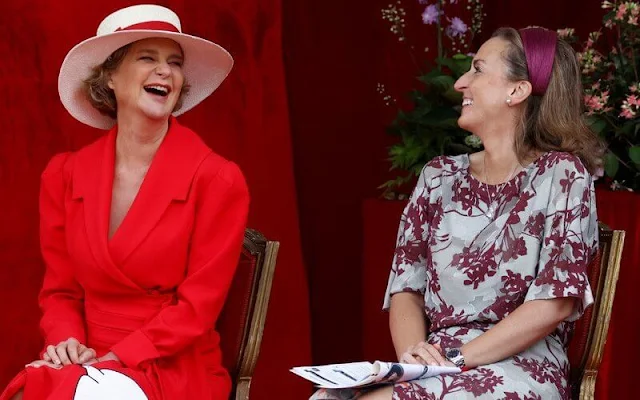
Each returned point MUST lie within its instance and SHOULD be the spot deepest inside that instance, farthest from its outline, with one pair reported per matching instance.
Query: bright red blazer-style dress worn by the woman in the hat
(151, 293)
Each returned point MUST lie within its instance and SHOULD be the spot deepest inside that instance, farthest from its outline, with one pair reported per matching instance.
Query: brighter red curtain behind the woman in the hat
(246, 120)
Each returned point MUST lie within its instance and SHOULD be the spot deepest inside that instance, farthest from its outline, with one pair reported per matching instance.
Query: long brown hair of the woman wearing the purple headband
(554, 121)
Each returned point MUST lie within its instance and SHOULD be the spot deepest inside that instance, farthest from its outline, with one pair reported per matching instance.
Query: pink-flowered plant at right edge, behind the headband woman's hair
(610, 61)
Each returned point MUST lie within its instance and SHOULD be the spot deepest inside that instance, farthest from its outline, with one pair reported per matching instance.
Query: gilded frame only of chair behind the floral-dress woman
(611, 244)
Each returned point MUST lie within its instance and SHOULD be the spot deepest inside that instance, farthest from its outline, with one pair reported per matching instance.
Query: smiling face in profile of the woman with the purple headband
(485, 87)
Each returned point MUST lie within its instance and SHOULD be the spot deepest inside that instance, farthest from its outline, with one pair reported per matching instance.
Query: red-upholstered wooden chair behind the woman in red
(241, 322)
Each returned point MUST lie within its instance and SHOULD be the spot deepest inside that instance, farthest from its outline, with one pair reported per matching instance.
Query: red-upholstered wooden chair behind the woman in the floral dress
(587, 345)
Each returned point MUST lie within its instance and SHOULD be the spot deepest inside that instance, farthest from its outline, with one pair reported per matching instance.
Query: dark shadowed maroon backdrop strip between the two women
(334, 56)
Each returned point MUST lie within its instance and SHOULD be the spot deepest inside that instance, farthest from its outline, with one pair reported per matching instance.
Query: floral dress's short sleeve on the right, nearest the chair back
(570, 238)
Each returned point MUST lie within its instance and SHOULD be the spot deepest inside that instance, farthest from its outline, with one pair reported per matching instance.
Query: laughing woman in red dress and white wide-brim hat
(141, 230)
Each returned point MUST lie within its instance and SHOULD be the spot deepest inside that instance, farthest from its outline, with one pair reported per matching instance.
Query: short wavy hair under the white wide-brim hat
(97, 88)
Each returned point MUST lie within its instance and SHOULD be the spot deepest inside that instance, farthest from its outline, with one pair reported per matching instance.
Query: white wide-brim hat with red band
(206, 64)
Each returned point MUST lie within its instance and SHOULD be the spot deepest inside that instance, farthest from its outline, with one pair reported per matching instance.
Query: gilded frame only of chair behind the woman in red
(266, 253)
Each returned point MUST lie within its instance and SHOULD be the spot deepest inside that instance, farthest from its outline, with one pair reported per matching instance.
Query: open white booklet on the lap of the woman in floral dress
(359, 374)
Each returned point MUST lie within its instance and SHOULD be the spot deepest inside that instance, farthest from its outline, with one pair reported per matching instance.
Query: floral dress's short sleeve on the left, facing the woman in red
(408, 273)
